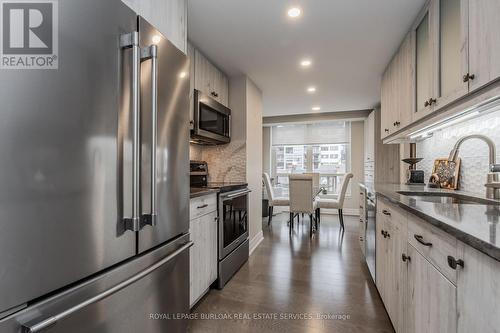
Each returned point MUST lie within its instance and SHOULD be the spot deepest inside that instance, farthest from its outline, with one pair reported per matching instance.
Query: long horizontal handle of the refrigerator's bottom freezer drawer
(54, 319)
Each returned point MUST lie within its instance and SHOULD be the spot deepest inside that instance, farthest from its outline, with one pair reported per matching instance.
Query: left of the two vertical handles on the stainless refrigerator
(131, 40)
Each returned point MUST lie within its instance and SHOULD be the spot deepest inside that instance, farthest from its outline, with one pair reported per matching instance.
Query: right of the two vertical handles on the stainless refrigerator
(151, 53)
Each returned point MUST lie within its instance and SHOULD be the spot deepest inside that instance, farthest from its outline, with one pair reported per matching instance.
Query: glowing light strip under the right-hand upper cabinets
(488, 106)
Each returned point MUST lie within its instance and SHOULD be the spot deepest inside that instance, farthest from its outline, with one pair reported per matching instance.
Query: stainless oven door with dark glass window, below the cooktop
(233, 220)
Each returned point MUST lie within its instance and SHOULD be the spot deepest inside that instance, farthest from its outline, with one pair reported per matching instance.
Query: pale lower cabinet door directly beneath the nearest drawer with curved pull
(431, 298)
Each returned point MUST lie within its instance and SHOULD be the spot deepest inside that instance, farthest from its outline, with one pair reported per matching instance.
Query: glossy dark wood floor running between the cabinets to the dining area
(298, 277)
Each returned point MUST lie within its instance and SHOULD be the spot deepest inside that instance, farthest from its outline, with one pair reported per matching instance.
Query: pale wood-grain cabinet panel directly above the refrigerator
(168, 16)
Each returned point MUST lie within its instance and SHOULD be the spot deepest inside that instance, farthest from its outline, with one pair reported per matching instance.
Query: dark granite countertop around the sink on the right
(476, 225)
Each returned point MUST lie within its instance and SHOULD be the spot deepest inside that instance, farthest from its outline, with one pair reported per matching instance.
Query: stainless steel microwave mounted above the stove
(211, 122)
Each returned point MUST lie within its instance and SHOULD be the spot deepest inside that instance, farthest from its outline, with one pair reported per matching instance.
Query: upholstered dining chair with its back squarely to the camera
(302, 199)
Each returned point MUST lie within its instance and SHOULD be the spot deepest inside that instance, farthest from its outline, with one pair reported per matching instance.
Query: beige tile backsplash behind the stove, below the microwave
(225, 162)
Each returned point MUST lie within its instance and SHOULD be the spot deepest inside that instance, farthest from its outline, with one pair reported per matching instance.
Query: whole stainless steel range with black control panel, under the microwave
(233, 221)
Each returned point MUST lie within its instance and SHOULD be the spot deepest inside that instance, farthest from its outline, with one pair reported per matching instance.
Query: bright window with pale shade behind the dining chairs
(317, 147)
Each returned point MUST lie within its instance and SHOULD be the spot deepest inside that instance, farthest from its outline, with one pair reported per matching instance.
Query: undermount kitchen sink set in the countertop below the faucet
(448, 198)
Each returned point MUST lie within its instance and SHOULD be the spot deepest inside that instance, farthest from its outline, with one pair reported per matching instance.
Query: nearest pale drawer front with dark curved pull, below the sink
(434, 244)
